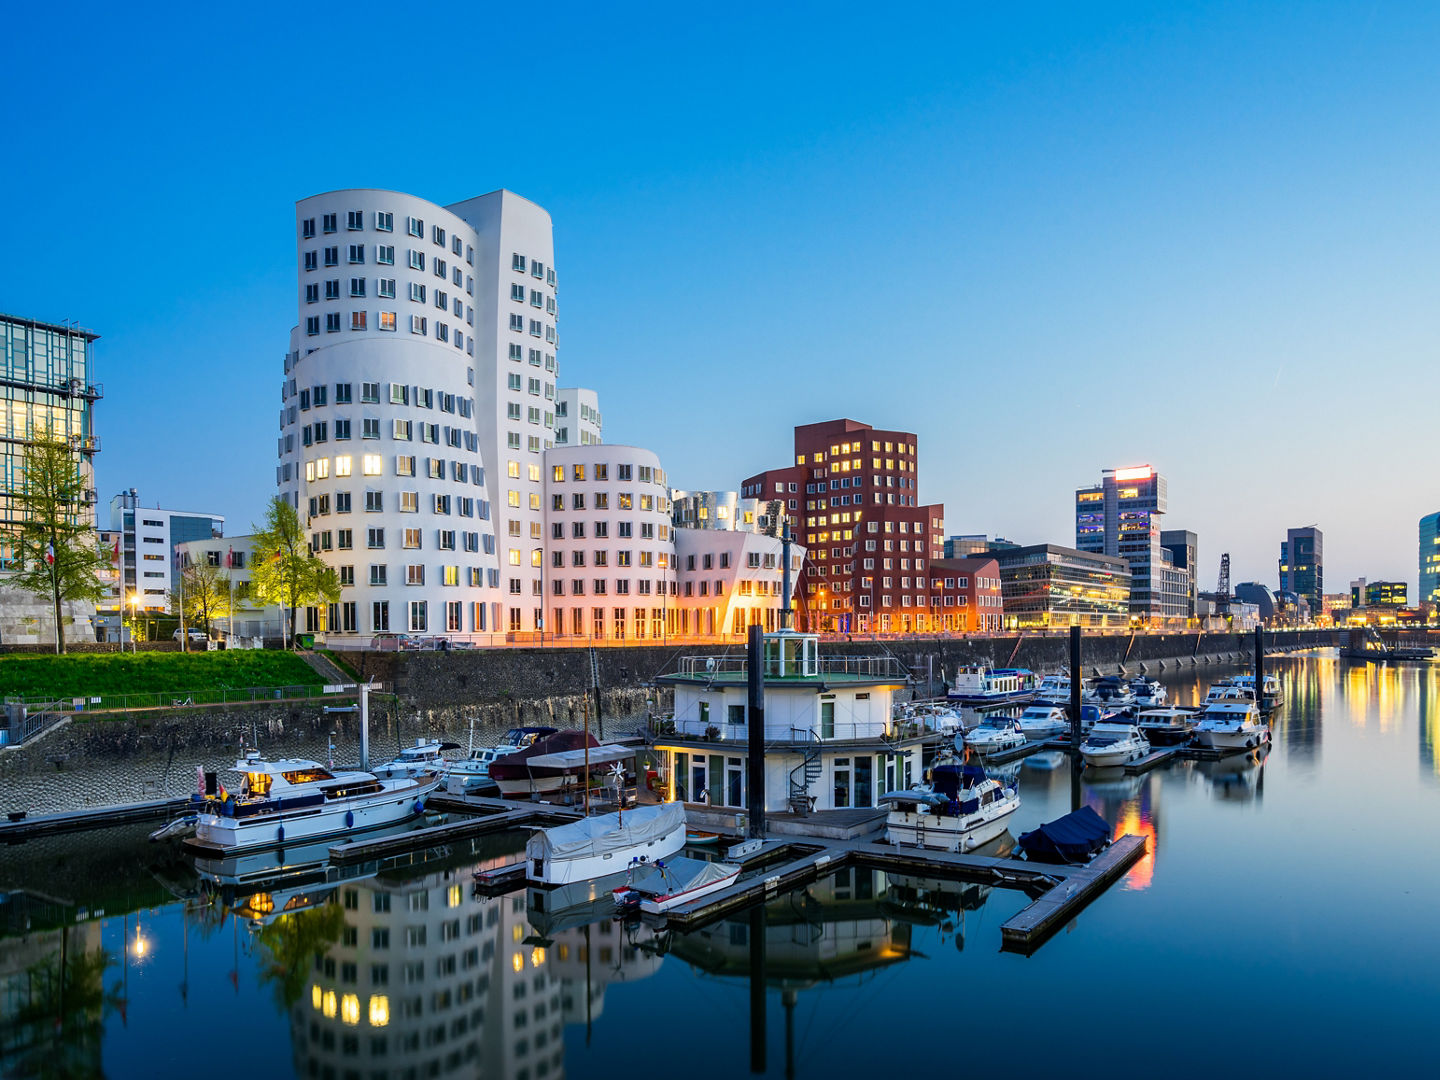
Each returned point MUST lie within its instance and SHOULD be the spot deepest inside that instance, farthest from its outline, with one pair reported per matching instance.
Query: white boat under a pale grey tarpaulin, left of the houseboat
(604, 845)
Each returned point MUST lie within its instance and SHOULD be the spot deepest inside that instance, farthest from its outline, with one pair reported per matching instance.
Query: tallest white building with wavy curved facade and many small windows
(417, 408)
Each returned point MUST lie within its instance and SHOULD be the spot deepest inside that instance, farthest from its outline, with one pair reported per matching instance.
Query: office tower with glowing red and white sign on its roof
(1121, 516)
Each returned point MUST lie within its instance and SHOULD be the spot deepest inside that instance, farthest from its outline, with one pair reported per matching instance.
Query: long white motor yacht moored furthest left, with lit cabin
(293, 800)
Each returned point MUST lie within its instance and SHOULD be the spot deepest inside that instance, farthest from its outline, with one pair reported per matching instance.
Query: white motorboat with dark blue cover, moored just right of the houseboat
(958, 810)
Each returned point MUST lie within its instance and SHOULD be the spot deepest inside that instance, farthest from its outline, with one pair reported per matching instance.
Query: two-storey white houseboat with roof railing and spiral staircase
(830, 731)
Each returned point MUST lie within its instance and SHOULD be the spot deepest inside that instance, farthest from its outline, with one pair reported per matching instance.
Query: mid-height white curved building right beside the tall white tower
(611, 568)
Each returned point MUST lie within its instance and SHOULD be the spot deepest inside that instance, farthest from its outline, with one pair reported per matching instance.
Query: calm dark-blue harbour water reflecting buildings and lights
(1287, 921)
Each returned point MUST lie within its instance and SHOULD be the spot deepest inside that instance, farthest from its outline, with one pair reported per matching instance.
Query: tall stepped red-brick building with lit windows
(853, 503)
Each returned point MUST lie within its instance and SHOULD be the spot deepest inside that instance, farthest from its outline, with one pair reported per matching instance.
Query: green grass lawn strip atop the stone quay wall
(107, 675)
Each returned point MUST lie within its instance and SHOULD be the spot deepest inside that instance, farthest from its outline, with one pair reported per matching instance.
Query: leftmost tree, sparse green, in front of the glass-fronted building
(58, 548)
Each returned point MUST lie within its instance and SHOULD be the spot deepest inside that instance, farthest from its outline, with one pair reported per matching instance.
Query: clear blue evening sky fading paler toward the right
(1049, 240)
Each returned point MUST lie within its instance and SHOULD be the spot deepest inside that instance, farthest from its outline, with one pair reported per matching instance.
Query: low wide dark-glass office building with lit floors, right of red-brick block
(1048, 585)
